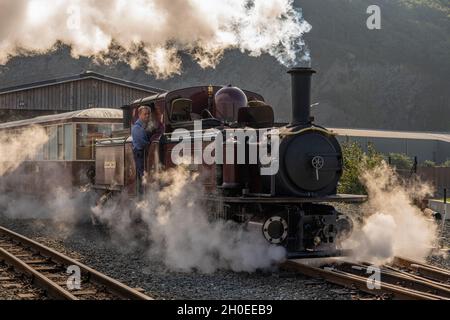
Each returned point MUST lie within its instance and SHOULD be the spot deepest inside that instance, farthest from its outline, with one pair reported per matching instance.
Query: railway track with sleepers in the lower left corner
(48, 271)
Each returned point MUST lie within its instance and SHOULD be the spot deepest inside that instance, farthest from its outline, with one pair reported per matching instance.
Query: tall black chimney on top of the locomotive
(301, 95)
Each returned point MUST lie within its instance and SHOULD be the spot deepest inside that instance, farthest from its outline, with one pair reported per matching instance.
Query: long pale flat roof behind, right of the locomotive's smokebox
(436, 136)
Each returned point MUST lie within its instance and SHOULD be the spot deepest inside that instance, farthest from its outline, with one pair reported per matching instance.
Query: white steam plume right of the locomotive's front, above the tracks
(394, 226)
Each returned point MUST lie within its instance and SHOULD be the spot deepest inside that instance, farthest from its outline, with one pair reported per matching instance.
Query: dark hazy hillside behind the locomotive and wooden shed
(394, 78)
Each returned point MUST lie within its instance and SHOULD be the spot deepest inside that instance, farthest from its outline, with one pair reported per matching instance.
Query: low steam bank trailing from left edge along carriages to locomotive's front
(170, 219)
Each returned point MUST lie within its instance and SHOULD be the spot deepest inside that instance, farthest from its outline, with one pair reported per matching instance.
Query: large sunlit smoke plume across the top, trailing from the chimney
(150, 33)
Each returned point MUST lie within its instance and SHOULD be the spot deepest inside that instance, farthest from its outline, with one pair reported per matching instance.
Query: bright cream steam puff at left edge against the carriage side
(15, 148)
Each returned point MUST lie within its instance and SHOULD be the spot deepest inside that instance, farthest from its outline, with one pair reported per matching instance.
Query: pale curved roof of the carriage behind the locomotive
(96, 113)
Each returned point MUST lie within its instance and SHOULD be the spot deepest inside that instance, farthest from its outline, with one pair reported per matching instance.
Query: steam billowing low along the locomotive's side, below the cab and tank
(181, 234)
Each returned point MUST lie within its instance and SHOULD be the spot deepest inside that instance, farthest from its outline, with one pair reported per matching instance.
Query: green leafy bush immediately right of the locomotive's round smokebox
(356, 161)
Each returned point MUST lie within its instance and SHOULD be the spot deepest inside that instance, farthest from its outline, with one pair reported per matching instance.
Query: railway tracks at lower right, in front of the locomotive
(402, 279)
